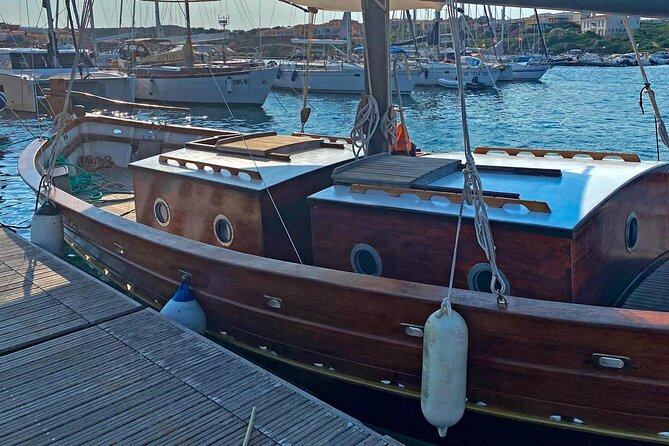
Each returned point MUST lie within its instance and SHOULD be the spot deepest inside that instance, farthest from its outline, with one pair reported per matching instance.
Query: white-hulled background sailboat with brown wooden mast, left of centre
(203, 83)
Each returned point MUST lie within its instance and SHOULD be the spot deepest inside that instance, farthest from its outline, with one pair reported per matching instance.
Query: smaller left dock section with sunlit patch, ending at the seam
(42, 297)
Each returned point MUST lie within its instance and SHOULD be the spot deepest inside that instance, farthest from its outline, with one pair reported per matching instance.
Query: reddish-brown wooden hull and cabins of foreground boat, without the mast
(357, 328)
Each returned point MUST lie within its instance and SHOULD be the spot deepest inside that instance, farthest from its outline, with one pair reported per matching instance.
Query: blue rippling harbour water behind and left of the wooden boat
(587, 108)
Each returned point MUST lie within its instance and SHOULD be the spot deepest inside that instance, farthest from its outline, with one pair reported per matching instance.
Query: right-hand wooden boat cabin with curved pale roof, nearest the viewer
(566, 229)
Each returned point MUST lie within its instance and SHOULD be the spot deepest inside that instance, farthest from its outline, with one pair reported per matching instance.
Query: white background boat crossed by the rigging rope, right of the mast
(475, 71)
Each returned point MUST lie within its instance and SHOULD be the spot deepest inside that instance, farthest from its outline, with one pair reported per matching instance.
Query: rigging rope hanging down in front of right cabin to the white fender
(472, 190)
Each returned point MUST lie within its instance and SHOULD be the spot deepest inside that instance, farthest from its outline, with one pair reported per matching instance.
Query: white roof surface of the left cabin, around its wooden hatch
(273, 171)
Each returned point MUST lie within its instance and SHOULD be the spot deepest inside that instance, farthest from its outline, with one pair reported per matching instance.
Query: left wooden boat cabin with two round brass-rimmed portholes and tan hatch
(226, 190)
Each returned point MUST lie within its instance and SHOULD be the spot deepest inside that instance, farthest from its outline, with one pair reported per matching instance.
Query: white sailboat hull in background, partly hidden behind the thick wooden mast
(342, 77)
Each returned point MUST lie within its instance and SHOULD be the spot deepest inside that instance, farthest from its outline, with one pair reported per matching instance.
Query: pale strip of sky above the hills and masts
(244, 14)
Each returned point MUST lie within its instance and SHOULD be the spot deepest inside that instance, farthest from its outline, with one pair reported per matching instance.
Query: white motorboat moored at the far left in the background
(26, 72)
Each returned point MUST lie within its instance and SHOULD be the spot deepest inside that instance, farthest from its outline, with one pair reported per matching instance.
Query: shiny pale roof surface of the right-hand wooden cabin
(583, 185)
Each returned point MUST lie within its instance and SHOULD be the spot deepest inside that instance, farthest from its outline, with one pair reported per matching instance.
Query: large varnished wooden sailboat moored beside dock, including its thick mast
(325, 268)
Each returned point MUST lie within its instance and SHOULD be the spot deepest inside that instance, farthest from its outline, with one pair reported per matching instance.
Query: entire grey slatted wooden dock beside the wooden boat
(81, 363)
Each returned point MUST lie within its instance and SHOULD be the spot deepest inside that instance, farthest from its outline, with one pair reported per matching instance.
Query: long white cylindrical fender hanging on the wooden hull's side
(444, 381)
